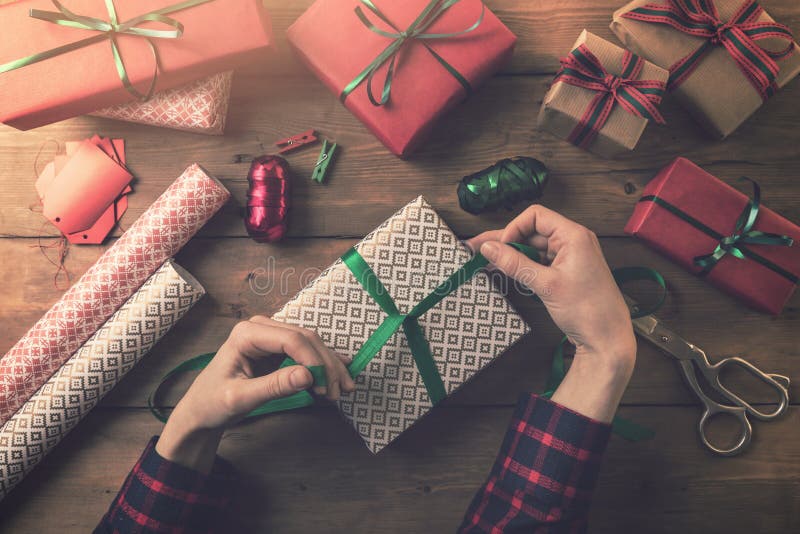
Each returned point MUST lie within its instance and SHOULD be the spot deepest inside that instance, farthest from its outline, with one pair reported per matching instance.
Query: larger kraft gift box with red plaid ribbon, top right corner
(726, 57)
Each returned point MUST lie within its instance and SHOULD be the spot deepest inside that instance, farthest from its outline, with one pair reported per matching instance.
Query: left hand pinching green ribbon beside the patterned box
(230, 387)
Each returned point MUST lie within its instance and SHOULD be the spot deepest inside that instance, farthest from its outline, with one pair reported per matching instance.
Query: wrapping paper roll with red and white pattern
(158, 234)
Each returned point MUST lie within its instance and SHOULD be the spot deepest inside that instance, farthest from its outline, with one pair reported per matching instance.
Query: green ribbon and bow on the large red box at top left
(108, 30)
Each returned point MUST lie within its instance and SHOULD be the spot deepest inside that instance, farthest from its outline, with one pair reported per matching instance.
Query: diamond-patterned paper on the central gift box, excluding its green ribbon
(411, 253)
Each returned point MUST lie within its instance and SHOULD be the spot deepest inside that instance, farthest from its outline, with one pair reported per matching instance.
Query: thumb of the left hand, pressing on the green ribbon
(286, 381)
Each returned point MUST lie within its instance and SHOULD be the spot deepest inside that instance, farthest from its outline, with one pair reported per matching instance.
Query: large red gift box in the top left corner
(218, 35)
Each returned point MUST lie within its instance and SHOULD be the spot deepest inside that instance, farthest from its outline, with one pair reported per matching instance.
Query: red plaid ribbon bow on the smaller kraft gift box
(640, 97)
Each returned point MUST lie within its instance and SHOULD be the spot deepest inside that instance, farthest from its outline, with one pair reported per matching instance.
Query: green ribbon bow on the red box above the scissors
(743, 234)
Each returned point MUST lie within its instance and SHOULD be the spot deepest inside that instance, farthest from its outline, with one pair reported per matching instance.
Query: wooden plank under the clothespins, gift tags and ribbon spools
(596, 192)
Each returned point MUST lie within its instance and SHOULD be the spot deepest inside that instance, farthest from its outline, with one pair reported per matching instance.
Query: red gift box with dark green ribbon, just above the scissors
(765, 278)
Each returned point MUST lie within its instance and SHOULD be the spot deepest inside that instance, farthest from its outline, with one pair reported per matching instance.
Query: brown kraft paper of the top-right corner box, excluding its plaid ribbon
(718, 93)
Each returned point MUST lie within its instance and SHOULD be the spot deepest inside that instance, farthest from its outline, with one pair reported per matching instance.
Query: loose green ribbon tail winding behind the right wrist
(624, 428)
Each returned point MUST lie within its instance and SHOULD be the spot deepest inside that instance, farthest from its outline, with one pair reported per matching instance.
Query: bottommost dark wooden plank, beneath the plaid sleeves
(309, 472)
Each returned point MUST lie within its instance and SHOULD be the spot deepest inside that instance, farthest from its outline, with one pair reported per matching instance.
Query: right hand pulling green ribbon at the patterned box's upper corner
(580, 294)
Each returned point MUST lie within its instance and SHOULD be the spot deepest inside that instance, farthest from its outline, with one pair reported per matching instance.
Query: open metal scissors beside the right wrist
(693, 359)
